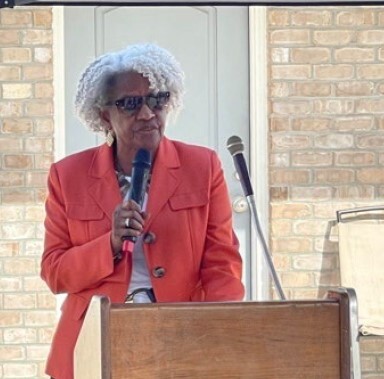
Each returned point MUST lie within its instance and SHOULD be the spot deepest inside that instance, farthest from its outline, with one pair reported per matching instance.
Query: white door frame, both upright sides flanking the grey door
(260, 282)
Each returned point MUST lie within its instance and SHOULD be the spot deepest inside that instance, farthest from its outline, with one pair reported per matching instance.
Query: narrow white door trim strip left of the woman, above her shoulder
(58, 82)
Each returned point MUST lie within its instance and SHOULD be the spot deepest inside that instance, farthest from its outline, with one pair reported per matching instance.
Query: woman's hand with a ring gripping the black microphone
(128, 221)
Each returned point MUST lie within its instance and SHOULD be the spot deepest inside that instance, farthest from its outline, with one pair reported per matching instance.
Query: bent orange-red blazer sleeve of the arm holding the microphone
(66, 266)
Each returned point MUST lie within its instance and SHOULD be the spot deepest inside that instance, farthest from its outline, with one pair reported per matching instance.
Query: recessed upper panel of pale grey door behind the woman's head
(189, 34)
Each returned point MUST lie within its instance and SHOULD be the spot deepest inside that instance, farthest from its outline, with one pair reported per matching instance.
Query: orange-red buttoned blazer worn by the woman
(189, 245)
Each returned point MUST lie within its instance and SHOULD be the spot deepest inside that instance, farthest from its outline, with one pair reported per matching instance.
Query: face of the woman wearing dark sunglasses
(141, 128)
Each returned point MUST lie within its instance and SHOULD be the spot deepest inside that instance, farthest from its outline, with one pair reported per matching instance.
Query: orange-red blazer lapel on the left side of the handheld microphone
(104, 188)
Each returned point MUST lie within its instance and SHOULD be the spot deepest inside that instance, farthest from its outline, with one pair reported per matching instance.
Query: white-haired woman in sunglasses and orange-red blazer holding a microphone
(185, 248)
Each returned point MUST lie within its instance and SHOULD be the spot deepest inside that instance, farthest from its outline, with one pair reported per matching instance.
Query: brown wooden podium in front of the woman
(262, 340)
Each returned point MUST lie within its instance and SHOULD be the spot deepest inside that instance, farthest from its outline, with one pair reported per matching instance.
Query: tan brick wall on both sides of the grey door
(326, 151)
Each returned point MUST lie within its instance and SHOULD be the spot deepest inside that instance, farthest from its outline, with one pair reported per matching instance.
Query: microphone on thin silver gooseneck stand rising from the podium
(236, 147)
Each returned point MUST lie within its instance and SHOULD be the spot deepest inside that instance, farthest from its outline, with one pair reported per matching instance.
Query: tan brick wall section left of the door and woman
(26, 139)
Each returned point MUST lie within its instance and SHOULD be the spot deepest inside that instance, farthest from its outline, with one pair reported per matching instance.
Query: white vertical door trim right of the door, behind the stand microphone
(260, 281)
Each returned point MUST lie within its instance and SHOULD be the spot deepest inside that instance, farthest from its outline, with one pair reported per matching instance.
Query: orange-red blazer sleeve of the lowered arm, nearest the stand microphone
(221, 268)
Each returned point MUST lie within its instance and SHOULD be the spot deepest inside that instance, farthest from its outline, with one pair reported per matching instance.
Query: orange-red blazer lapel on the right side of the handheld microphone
(165, 178)
